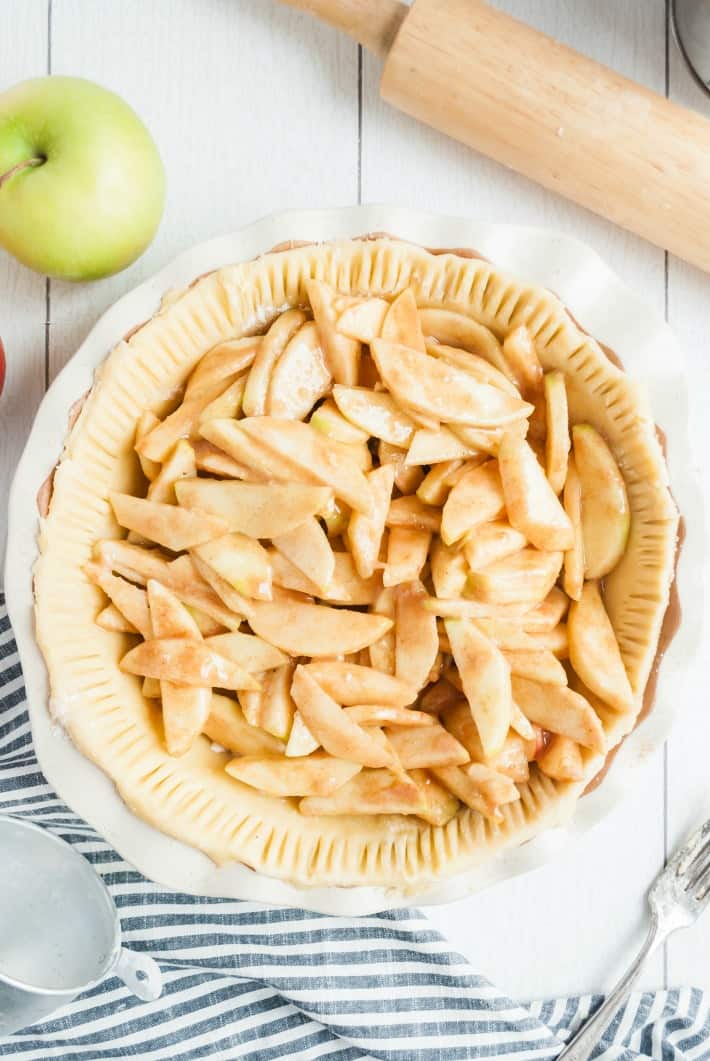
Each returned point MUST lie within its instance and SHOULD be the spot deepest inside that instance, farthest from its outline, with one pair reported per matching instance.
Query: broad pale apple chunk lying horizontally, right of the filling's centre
(526, 577)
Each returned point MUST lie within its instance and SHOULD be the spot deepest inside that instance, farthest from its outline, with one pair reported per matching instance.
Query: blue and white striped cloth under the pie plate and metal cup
(251, 982)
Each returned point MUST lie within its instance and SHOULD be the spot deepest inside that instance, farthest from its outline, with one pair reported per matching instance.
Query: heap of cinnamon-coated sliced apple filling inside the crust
(369, 563)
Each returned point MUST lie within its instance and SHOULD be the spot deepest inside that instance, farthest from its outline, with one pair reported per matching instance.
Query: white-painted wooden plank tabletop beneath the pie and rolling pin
(256, 110)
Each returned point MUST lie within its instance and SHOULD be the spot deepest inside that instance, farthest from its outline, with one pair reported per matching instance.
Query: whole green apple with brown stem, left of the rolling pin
(82, 186)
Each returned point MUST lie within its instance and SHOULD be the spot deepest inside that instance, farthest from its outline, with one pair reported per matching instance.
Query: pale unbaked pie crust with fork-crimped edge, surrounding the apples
(103, 709)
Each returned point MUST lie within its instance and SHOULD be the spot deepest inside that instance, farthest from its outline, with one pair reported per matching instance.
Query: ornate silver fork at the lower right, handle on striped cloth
(677, 898)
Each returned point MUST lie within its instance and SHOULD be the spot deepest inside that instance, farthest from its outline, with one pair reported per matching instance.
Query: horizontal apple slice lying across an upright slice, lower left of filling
(187, 663)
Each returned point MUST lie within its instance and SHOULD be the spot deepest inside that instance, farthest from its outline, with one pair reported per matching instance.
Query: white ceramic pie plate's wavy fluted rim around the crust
(599, 301)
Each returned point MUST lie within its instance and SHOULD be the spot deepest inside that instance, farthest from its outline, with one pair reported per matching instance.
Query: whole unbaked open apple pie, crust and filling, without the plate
(356, 564)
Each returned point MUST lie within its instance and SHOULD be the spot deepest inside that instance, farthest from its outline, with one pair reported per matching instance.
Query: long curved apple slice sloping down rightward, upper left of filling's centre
(323, 459)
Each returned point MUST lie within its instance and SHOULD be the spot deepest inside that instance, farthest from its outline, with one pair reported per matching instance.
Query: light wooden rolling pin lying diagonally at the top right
(543, 110)
